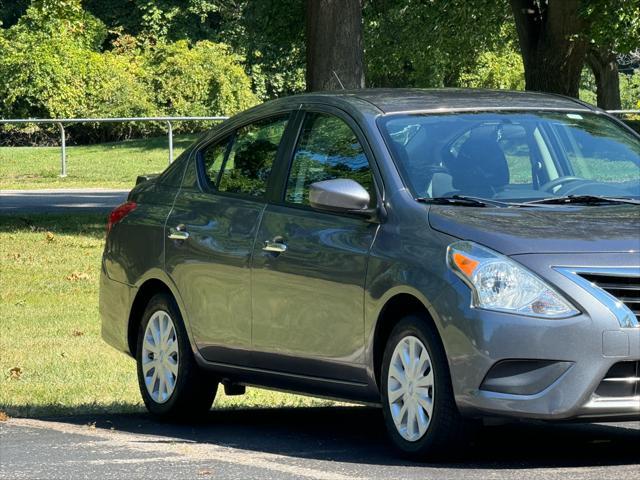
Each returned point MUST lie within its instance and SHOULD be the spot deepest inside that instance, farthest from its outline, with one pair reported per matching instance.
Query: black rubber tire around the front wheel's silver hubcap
(446, 428)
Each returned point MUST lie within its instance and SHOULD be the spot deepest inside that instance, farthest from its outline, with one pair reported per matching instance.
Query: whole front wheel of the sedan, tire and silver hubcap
(417, 398)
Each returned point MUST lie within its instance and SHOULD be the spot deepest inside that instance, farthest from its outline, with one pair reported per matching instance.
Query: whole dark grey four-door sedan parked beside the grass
(449, 255)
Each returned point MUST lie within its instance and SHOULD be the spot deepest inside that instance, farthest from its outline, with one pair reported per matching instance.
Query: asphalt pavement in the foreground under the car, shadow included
(339, 443)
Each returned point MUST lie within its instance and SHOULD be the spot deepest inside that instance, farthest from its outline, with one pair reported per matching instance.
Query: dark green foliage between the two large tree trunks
(412, 43)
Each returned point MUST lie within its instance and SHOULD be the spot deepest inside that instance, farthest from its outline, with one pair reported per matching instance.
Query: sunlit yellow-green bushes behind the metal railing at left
(52, 66)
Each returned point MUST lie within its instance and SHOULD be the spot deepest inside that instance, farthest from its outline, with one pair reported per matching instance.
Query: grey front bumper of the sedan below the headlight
(587, 346)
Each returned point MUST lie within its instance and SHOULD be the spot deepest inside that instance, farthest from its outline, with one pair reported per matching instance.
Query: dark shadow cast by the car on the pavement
(356, 435)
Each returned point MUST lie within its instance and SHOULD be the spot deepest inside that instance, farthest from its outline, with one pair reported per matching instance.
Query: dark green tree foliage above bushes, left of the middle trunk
(267, 34)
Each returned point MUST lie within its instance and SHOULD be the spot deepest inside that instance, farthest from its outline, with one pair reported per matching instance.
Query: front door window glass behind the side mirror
(327, 149)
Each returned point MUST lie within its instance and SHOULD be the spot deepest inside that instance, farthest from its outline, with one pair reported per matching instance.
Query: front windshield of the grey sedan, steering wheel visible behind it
(514, 156)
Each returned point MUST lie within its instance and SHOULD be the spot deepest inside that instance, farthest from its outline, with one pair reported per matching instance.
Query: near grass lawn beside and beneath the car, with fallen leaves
(52, 359)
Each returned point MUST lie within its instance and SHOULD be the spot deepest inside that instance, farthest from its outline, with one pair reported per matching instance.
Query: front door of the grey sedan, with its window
(309, 267)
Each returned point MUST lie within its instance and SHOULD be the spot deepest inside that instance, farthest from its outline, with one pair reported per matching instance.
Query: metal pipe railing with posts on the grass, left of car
(63, 139)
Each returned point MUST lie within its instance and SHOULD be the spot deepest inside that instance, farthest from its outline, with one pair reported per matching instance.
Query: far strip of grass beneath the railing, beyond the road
(109, 165)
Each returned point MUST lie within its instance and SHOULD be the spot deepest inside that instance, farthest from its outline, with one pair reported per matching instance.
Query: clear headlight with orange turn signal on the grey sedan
(500, 284)
